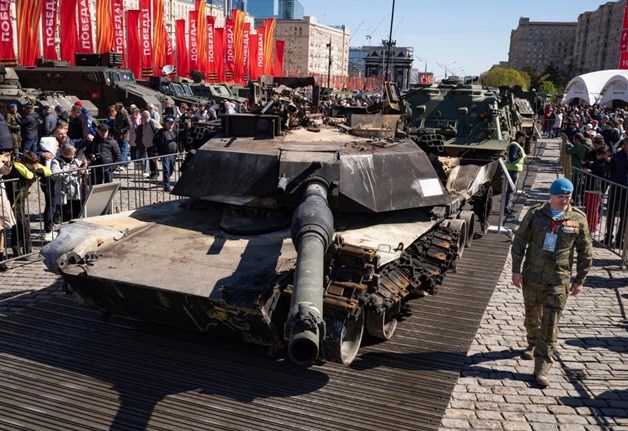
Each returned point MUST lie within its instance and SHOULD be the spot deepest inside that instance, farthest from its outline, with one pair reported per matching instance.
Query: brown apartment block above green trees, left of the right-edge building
(539, 44)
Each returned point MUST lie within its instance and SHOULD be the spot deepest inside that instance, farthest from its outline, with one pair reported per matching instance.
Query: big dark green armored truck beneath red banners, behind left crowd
(102, 84)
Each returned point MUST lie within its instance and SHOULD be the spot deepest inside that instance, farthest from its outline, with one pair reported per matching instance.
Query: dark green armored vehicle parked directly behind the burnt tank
(460, 119)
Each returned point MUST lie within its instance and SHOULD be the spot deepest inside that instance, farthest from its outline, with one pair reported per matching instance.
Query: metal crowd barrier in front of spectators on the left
(42, 204)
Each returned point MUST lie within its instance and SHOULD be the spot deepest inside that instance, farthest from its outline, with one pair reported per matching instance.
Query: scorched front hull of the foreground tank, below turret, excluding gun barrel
(172, 265)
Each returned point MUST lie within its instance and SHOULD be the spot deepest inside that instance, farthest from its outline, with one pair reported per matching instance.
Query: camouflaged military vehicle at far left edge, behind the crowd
(11, 91)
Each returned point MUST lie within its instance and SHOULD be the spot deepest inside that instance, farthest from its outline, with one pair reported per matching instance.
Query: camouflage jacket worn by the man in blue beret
(552, 267)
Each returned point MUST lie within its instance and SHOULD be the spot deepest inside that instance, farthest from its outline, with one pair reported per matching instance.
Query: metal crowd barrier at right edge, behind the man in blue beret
(606, 206)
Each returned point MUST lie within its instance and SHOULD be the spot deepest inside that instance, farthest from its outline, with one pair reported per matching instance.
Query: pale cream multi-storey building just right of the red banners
(307, 50)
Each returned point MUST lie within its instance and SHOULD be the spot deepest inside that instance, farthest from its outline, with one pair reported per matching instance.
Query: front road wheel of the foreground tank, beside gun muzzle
(343, 338)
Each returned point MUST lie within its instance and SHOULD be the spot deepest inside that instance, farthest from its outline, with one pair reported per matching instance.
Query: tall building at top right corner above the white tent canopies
(598, 37)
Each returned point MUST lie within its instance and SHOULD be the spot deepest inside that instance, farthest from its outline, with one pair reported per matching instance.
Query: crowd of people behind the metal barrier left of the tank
(69, 151)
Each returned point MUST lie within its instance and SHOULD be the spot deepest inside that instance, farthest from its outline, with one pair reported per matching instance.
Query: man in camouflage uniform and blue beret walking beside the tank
(547, 237)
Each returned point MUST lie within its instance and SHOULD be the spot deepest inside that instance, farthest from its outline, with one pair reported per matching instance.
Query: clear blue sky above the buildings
(475, 34)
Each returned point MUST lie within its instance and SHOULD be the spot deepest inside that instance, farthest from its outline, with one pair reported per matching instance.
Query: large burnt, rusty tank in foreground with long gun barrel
(299, 237)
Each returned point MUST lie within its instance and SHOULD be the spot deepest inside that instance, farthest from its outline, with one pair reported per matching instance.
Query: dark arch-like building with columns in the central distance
(399, 66)
